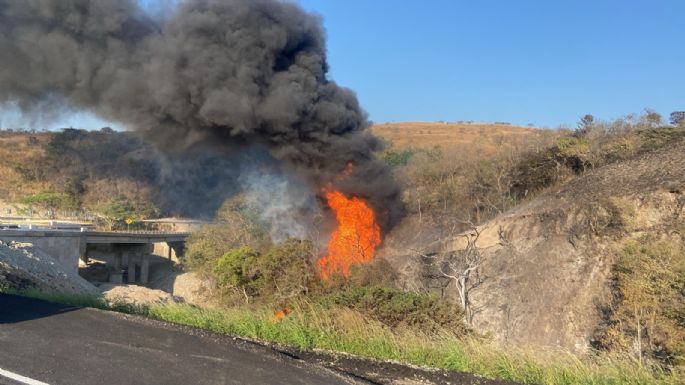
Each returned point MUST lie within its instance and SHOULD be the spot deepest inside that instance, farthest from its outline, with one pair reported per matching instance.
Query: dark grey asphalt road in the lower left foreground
(59, 344)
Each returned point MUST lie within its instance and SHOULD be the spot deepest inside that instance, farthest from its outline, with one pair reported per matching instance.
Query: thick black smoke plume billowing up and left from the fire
(229, 73)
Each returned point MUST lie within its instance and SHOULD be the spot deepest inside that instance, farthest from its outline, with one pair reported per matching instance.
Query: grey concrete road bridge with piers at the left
(130, 248)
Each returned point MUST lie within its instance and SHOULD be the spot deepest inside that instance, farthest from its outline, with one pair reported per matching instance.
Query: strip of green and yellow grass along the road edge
(314, 325)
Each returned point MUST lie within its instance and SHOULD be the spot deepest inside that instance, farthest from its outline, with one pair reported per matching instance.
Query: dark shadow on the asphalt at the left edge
(17, 309)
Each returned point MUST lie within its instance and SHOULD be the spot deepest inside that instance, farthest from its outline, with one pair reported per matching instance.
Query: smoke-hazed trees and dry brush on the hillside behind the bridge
(108, 172)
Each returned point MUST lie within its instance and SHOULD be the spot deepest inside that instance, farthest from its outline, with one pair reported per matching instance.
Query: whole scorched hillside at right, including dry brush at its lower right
(552, 266)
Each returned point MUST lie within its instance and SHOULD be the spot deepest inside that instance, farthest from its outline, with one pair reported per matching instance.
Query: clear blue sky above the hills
(545, 62)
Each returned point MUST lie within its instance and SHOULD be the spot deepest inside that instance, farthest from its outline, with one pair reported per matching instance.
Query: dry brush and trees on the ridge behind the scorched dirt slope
(480, 184)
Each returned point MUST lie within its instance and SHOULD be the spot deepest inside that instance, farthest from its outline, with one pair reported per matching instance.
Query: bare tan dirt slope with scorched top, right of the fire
(548, 262)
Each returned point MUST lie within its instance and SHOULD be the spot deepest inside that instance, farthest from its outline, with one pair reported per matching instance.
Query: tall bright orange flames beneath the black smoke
(356, 237)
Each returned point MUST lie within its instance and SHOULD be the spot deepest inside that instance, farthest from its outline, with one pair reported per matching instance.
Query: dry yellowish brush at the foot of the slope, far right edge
(647, 317)
